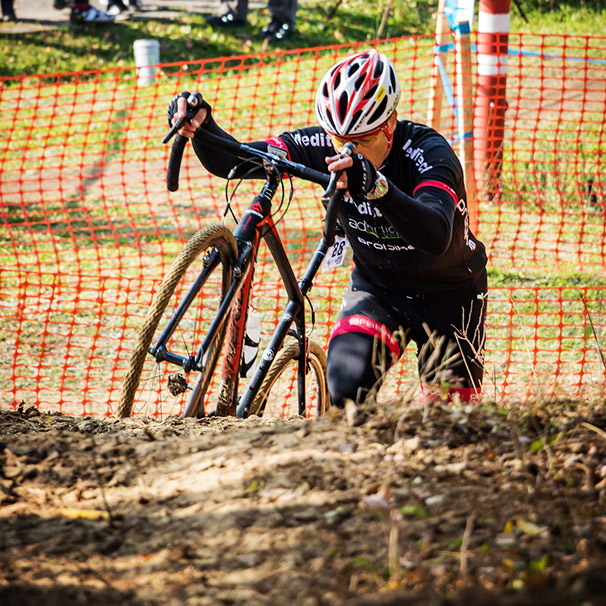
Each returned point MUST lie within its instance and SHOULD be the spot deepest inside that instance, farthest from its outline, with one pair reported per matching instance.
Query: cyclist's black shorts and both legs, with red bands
(374, 327)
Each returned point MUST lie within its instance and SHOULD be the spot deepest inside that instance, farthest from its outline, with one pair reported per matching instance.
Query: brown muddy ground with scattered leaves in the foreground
(408, 506)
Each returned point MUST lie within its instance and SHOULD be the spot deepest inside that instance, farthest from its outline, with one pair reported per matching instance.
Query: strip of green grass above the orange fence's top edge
(187, 37)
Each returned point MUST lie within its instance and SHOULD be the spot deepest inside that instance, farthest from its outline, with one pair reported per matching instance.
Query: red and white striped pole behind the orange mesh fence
(491, 89)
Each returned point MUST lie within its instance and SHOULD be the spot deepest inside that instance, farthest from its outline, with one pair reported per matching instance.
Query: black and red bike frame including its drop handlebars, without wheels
(256, 223)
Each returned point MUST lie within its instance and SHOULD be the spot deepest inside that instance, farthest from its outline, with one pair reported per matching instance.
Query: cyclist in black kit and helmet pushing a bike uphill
(419, 274)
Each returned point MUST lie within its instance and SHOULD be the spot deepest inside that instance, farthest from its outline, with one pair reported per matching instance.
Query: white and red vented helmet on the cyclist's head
(357, 95)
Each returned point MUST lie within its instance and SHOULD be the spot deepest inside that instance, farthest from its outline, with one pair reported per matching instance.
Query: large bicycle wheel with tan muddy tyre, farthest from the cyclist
(155, 388)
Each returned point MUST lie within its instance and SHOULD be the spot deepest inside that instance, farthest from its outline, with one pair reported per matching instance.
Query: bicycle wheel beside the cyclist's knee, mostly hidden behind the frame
(278, 396)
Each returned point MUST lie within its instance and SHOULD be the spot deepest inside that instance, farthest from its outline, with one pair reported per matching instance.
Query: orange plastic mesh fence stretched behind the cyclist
(89, 228)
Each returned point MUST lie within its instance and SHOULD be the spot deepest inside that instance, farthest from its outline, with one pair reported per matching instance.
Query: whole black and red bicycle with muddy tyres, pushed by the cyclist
(224, 284)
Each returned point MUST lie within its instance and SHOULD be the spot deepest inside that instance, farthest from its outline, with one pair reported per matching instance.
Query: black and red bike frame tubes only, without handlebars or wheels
(256, 223)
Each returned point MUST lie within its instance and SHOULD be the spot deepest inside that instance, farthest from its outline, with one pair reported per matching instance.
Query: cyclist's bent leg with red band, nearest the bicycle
(362, 346)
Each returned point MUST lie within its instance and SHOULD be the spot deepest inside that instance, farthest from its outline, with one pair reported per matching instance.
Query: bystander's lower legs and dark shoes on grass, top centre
(233, 13)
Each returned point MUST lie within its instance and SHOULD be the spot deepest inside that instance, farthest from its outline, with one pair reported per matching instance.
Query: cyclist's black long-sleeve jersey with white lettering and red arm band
(415, 240)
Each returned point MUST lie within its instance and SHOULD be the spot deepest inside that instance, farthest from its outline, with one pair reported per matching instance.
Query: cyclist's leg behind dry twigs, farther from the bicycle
(451, 360)
